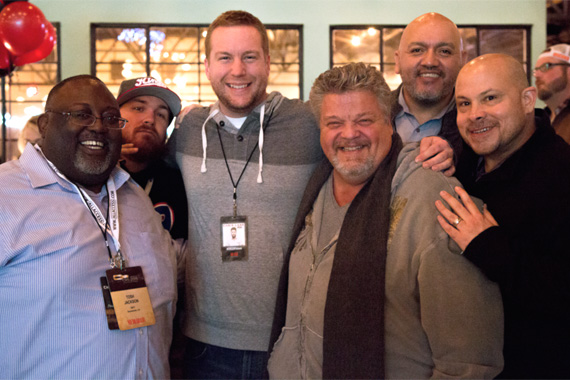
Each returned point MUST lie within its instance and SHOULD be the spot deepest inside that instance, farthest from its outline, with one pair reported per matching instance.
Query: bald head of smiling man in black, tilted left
(495, 110)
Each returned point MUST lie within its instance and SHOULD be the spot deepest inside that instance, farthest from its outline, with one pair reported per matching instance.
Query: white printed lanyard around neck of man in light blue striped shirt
(102, 222)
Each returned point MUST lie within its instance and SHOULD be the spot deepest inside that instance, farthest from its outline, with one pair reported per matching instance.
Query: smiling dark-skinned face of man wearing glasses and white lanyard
(85, 155)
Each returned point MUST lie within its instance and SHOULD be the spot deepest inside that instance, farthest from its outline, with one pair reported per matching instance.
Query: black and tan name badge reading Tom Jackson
(130, 298)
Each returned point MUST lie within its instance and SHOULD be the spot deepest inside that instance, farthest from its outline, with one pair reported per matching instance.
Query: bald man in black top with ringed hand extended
(521, 169)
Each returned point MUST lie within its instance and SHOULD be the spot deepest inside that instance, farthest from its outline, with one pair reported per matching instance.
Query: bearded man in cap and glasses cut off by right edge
(551, 73)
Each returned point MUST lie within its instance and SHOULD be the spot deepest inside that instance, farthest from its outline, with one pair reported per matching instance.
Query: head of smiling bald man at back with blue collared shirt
(428, 59)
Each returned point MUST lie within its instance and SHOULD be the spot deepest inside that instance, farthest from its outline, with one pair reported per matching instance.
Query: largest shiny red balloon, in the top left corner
(23, 27)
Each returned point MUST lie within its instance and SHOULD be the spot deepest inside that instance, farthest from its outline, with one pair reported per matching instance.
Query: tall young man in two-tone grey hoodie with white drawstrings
(245, 162)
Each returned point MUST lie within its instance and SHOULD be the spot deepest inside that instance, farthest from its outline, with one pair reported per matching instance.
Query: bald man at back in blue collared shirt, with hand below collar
(428, 59)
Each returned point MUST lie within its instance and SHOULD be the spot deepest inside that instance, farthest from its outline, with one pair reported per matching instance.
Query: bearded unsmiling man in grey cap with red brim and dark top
(149, 106)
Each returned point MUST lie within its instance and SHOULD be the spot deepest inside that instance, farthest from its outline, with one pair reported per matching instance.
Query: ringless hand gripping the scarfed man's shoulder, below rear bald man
(436, 154)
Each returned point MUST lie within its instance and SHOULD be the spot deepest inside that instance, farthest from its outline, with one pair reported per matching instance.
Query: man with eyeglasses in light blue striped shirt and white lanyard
(87, 273)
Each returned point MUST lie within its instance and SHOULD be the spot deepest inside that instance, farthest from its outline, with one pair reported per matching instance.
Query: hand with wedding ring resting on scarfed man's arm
(465, 221)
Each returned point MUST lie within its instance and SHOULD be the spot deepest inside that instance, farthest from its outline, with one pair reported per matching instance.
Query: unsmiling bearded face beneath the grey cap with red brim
(148, 118)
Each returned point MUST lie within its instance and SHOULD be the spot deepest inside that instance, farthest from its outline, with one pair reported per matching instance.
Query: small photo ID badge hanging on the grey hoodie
(233, 231)
